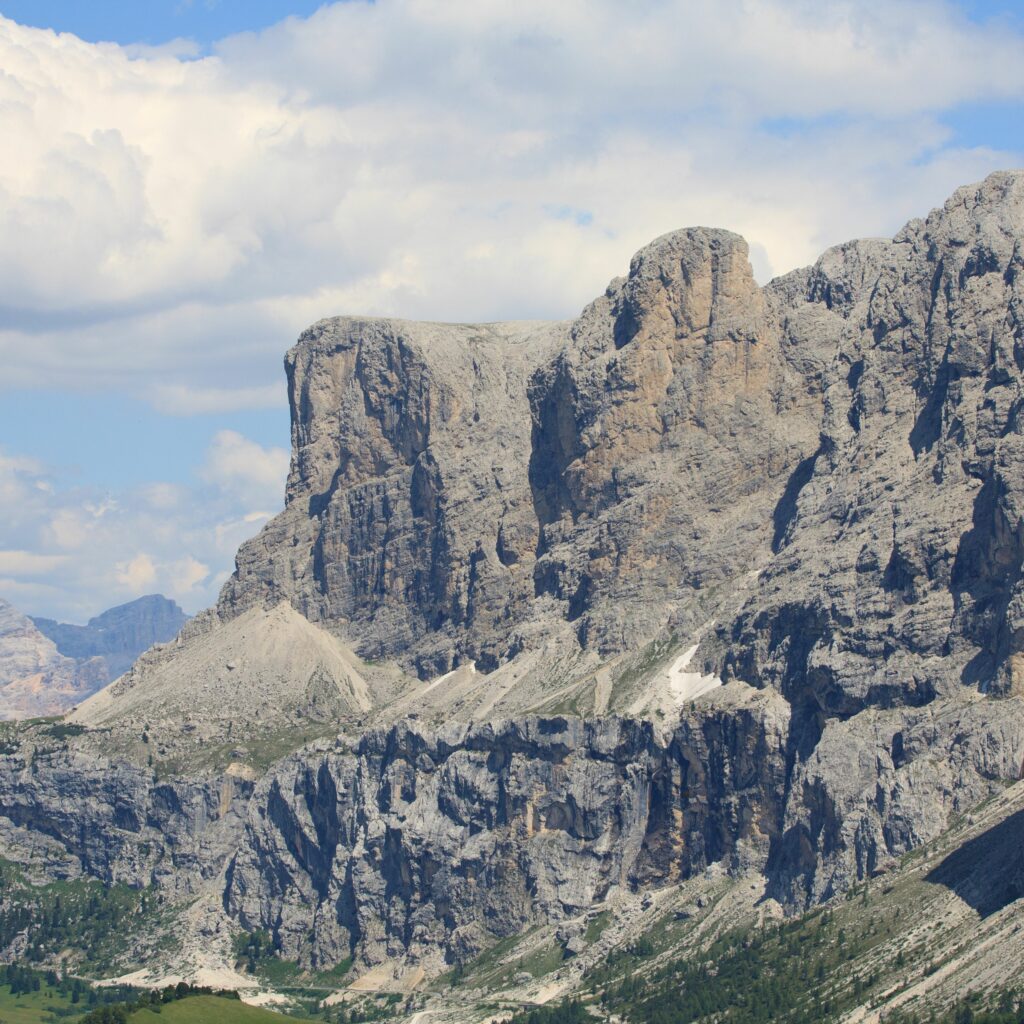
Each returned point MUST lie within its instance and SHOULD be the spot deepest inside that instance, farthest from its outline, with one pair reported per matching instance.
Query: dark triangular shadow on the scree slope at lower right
(988, 872)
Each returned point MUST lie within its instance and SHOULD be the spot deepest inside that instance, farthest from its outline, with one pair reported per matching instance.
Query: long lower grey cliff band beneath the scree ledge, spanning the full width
(428, 845)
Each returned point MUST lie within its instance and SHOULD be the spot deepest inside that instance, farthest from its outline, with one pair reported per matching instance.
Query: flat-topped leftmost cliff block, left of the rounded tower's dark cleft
(409, 525)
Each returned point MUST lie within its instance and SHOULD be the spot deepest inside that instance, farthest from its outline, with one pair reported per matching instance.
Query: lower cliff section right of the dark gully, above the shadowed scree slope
(883, 783)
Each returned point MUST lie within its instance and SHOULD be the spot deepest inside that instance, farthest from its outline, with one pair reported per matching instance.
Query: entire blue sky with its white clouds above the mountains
(186, 187)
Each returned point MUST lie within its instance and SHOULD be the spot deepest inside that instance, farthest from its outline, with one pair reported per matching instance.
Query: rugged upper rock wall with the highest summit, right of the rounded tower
(897, 575)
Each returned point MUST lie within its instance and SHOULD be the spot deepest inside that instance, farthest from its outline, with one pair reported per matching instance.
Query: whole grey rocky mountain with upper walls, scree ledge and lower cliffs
(604, 647)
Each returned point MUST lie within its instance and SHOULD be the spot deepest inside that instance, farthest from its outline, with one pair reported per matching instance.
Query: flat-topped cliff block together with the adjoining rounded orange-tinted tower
(459, 492)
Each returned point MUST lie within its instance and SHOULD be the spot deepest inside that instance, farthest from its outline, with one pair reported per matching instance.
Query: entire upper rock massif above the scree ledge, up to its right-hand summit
(682, 453)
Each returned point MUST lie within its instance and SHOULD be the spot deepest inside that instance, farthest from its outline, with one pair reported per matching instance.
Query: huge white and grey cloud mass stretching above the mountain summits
(185, 219)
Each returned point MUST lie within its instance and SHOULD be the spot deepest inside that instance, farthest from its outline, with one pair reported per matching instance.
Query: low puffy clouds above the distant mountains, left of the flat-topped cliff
(70, 552)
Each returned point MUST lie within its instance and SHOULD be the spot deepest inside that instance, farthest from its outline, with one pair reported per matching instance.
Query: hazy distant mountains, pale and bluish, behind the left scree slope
(48, 667)
